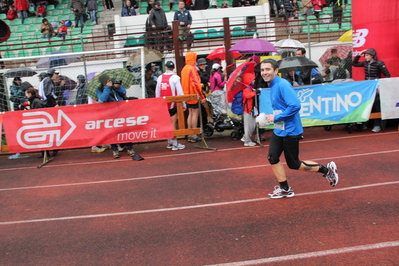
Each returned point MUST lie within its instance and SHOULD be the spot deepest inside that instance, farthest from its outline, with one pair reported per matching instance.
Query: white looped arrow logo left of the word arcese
(41, 130)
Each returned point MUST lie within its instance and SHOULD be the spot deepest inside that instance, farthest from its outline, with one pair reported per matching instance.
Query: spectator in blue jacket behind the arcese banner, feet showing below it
(107, 92)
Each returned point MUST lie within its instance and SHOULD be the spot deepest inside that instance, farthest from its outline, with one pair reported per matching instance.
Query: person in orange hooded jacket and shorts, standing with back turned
(191, 83)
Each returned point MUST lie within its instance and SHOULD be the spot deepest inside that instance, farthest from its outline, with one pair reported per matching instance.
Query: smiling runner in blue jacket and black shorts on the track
(287, 133)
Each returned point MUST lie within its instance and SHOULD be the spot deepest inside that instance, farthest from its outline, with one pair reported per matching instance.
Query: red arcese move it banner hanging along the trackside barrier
(88, 125)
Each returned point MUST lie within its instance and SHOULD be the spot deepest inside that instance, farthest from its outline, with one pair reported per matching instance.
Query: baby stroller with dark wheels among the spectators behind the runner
(222, 117)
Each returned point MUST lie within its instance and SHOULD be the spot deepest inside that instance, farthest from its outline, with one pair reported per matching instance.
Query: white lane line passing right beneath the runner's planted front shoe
(189, 207)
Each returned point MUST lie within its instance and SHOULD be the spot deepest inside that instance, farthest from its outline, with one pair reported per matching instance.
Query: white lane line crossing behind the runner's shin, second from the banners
(185, 173)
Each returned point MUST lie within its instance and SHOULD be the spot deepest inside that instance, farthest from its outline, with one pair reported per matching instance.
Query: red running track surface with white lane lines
(199, 207)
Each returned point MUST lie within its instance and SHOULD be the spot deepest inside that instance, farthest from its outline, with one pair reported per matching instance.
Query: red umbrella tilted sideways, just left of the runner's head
(241, 77)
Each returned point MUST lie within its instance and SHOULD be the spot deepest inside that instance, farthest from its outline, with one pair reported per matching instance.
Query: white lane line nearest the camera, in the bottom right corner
(313, 254)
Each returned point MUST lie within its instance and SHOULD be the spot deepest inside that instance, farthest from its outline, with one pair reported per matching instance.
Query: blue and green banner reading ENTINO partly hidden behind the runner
(330, 104)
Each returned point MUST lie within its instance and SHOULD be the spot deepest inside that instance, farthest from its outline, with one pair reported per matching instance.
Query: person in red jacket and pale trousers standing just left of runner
(248, 95)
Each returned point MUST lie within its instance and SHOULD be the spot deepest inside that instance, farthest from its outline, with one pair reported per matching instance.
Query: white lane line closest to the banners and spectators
(187, 153)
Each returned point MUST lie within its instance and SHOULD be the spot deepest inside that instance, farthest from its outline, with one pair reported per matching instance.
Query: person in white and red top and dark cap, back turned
(168, 84)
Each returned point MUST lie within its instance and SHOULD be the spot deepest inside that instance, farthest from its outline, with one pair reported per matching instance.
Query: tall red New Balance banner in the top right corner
(375, 25)
